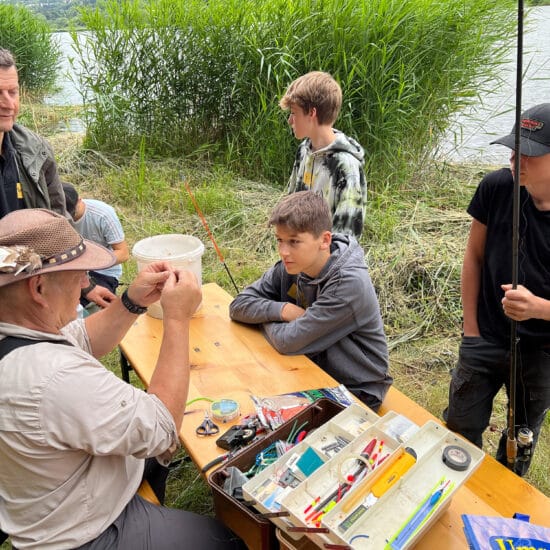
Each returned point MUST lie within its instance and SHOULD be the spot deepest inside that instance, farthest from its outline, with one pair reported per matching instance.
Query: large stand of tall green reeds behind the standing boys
(190, 75)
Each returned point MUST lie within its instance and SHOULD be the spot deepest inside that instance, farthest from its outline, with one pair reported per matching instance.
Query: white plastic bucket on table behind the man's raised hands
(183, 251)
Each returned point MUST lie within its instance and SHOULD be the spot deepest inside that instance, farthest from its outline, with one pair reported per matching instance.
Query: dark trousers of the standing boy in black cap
(482, 369)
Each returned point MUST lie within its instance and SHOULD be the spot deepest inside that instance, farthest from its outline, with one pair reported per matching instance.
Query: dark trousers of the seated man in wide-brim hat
(145, 526)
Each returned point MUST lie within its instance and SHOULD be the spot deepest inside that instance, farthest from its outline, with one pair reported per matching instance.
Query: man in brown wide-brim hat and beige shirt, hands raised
(74, 438)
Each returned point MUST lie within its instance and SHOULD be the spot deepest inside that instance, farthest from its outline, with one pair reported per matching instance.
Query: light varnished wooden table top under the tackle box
(232, 360)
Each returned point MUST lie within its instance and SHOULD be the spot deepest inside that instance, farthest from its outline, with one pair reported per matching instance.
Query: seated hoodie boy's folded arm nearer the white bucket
(260, 302)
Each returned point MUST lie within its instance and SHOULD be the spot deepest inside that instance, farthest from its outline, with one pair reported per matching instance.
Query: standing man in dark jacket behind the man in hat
(28, 172)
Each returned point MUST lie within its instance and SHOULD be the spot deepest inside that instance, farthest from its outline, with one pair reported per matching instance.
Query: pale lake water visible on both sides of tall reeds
(470, 134)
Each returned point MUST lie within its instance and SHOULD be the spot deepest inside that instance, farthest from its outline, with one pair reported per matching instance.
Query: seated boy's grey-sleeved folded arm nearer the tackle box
(331, 318)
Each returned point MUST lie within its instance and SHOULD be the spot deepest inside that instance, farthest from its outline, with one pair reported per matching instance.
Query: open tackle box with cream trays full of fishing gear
(357, 481)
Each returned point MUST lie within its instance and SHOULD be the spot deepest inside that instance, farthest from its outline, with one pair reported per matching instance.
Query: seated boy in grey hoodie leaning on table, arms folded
(319, 300)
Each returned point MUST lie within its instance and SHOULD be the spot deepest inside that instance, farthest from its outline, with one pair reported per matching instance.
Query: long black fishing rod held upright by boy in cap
(511, 442)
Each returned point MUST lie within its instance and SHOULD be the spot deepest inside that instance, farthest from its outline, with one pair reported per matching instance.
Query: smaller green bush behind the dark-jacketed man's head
(28, 37)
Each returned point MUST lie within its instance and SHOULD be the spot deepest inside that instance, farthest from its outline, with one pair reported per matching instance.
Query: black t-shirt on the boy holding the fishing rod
(492, 205)
